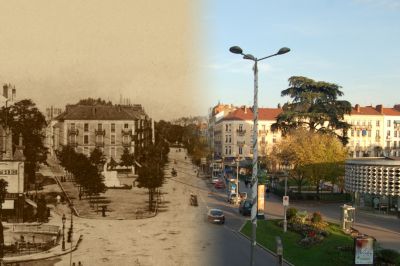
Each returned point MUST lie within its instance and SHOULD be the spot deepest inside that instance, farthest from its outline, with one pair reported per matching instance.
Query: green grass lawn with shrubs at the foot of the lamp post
(324, 253)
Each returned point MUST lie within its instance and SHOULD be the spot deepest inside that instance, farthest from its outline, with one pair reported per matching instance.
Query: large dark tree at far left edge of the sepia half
(24, 118)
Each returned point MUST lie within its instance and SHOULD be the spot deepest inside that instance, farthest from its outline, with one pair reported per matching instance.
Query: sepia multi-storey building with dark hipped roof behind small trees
(111, 128)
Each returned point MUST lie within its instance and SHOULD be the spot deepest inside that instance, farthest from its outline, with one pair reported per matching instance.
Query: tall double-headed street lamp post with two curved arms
(238, 50)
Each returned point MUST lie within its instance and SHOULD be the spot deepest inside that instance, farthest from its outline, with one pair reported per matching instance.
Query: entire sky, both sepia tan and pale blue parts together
(173, 56)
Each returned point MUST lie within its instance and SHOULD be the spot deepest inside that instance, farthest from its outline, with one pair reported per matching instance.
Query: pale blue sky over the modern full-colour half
(353, 43)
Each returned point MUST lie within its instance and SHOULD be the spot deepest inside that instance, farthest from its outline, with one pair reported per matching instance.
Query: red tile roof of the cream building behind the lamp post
(247, 114)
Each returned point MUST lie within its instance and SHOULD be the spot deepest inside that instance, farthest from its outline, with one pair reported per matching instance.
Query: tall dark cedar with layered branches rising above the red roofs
(315, 107)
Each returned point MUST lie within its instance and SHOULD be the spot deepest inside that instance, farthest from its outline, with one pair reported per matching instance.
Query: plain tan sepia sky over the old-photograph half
(58, 52)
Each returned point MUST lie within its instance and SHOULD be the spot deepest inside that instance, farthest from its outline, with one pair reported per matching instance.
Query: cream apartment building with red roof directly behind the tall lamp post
(233, 134)
